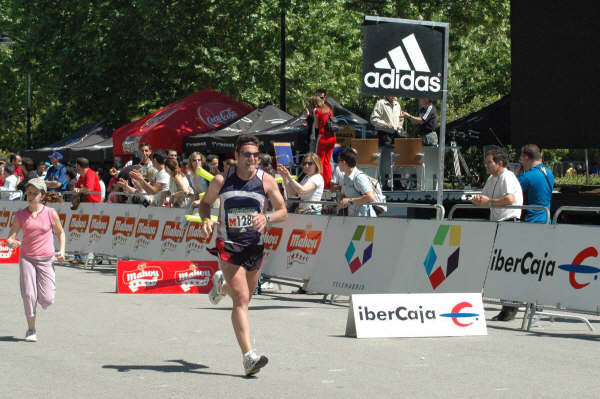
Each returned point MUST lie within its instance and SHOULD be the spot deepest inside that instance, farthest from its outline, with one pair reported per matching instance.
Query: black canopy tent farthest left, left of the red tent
(85, 141)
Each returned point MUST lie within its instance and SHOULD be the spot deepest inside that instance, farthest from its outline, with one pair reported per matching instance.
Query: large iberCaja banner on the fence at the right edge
(550, 265)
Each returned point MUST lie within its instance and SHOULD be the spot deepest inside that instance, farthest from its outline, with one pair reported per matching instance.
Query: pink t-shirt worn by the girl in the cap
(38, 241)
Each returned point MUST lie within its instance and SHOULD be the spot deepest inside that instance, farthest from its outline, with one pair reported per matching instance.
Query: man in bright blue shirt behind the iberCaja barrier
(537, 182)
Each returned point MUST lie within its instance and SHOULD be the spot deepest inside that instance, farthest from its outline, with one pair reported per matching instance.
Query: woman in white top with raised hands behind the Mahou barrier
(310, 188)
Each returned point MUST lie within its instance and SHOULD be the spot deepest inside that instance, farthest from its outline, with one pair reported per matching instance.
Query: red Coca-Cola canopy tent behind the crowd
(200, 112)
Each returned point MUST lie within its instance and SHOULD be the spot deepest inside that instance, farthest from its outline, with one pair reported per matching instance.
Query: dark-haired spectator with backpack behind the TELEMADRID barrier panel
(357, 190)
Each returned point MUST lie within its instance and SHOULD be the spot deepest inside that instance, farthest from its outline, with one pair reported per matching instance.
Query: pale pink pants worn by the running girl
(38, 283)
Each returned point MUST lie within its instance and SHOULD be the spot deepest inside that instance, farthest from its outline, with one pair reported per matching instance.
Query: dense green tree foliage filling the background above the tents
(117, 60)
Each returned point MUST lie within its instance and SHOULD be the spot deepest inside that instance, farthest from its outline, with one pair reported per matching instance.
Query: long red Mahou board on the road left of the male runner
(165, 277)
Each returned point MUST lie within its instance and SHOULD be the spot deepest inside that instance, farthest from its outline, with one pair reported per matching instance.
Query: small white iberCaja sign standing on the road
(416, 315)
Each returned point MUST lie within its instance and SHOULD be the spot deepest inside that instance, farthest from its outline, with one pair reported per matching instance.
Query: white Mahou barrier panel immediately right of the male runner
(293, 247)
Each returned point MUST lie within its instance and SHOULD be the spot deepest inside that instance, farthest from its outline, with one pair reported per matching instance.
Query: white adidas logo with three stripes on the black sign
(394, 79)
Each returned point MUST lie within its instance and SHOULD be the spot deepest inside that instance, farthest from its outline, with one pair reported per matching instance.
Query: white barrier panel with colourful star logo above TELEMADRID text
(360, 255)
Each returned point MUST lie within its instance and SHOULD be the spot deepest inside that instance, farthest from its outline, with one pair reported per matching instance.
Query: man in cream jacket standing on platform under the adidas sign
(387, 119)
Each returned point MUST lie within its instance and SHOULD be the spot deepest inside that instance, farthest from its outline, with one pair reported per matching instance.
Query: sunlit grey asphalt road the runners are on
(94, 343)
